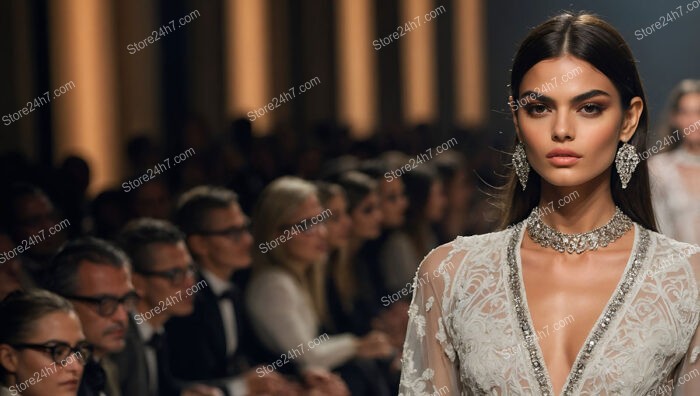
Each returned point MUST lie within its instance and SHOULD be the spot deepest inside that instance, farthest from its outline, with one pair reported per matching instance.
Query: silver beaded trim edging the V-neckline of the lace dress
(599, 329)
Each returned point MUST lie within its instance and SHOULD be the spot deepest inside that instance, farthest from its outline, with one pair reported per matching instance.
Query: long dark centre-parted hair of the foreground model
(595, 41)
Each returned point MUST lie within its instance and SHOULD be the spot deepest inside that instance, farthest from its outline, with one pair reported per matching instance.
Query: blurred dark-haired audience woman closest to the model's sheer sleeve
(402, 252)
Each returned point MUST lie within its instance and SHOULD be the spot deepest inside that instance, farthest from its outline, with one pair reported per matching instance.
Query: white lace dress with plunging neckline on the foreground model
(469, 311)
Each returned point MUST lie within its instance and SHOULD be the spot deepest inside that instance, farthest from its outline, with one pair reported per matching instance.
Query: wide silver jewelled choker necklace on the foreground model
(570, 243)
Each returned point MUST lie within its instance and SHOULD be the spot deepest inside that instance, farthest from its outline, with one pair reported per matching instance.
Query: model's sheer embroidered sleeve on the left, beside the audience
(430, 365)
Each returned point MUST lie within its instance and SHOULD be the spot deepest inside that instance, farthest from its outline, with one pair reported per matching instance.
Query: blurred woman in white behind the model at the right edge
(675, 174)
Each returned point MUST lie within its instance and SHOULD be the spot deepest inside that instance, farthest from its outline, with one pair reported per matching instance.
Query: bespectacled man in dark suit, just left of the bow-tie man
(163, 275)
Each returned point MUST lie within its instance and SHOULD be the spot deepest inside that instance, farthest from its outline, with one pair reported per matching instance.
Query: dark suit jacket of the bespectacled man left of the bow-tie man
(133, 367)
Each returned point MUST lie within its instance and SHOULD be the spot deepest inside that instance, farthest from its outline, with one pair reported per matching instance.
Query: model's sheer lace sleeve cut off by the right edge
(686, 381)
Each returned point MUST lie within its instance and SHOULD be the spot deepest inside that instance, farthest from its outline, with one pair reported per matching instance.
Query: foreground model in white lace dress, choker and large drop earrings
(529, 310)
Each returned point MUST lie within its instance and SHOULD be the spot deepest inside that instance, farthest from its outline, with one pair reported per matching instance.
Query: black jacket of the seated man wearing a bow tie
(197, 343)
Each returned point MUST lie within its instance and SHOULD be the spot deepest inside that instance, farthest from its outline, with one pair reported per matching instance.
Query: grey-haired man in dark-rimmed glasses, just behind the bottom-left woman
(95, 276)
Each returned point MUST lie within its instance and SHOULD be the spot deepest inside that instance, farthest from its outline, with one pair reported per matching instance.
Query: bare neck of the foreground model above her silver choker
(577, 209)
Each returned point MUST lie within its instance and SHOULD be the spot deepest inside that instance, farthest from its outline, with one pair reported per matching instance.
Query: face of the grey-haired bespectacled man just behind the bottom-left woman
(106, 333)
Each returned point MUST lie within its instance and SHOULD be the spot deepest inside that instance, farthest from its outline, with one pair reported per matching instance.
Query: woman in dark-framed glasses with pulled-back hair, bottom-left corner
(42, 346)
